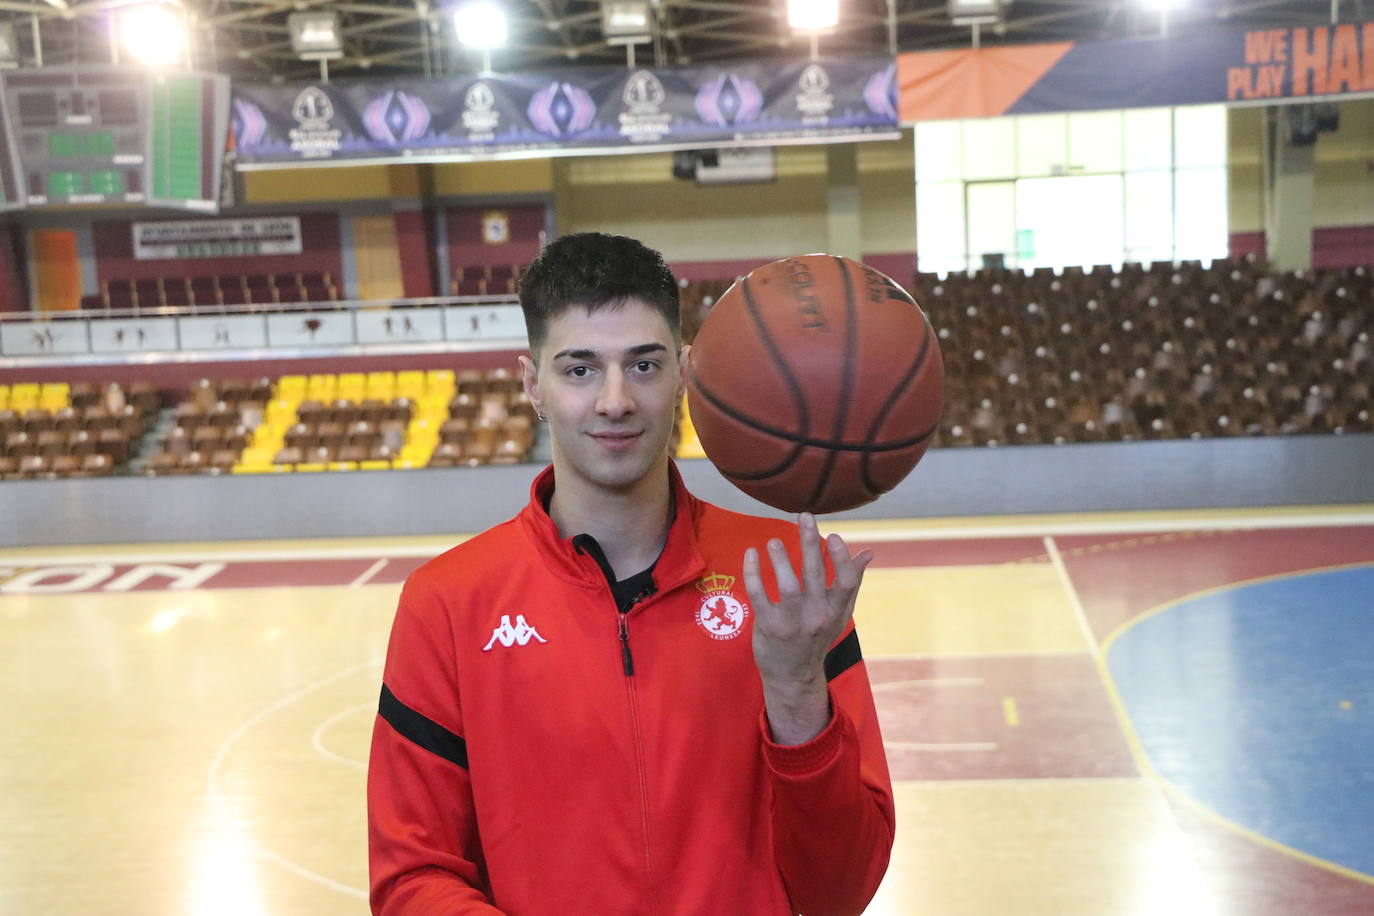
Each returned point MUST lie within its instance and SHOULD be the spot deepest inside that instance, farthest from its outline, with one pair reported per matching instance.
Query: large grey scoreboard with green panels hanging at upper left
(108, 135)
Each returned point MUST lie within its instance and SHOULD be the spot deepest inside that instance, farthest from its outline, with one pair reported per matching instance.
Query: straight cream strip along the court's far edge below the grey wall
(934, 531)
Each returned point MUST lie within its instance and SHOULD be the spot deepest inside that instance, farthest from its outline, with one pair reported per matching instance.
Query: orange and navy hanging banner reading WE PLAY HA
(1273, 65)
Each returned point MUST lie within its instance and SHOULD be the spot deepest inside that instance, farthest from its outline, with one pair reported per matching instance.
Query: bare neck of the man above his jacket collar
(630, 524)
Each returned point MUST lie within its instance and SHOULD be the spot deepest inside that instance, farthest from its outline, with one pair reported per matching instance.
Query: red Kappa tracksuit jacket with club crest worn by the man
(520, 768)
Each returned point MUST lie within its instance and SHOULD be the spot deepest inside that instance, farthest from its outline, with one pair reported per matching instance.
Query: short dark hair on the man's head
(594, 271)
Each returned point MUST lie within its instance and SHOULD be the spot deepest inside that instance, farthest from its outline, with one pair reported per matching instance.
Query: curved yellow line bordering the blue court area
(1138, 749)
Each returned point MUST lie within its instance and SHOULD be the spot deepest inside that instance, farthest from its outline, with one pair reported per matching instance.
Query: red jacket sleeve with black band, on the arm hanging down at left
(425, 855)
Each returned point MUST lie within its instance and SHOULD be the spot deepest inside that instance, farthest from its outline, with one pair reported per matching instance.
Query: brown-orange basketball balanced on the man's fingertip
(815, 384)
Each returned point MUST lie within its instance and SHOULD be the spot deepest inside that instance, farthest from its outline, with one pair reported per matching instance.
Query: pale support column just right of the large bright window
(1289, 190)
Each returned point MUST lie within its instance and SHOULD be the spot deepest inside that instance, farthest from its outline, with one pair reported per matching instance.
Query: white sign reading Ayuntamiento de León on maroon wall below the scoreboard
(216, 238)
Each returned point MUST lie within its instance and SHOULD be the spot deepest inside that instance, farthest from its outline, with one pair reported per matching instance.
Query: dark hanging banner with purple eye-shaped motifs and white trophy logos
(572, 112)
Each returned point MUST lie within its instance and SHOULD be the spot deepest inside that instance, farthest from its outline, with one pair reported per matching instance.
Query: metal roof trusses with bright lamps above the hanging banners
(249, 39)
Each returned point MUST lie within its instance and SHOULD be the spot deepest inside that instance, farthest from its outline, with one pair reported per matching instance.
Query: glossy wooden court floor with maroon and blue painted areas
(1100, 716)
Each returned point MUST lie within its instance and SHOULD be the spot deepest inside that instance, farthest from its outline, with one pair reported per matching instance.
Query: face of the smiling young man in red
(609, 384)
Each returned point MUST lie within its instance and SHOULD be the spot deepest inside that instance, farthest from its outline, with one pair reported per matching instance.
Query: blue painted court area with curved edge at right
(1258, 702)
